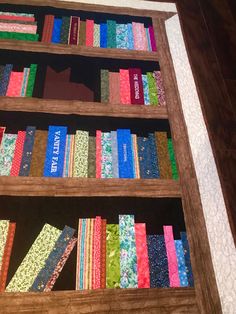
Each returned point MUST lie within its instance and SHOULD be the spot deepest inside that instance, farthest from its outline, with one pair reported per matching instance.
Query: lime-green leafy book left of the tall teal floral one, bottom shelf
(112, 256)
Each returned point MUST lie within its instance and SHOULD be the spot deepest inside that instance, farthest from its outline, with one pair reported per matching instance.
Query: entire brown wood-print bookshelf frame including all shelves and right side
(203, 298)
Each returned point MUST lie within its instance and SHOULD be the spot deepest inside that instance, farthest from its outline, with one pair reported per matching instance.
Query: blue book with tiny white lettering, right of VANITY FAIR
(125, 160)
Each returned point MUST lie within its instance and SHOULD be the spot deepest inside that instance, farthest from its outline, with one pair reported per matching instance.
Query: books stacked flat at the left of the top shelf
(19, 26)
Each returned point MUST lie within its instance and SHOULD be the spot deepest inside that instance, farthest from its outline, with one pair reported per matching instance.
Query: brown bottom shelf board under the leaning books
(158, 301)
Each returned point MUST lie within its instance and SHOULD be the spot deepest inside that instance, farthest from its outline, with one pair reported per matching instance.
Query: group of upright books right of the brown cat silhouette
(130, 86)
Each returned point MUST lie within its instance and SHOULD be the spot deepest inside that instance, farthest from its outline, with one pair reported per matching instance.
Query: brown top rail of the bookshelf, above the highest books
(92, 8)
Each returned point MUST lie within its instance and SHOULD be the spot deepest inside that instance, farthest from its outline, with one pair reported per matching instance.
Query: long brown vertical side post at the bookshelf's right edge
(205, 283)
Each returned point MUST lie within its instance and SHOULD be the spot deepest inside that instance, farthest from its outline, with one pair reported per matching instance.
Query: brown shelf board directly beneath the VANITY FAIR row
(42, 186)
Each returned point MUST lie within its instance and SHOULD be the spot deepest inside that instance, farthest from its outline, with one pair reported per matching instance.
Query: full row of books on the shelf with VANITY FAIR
(115, 154)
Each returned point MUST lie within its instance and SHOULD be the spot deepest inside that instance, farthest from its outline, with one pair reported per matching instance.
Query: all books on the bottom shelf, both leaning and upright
(108, 256)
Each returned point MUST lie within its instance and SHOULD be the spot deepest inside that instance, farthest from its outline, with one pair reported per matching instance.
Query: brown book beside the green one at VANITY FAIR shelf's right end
(163, 155)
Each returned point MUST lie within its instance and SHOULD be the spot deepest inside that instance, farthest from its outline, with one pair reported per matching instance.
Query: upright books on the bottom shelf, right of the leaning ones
(124, 256)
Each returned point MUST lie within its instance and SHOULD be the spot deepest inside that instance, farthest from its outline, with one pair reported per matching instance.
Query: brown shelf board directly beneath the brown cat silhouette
(81, 108)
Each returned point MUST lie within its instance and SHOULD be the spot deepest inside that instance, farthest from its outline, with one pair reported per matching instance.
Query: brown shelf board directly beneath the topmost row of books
(115, 53)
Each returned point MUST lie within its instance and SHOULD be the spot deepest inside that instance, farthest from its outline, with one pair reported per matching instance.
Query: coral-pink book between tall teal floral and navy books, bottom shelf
(142, 256)
